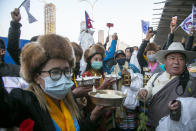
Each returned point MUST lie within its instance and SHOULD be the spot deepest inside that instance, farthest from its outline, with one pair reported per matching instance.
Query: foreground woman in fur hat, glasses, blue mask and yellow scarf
(46, 66)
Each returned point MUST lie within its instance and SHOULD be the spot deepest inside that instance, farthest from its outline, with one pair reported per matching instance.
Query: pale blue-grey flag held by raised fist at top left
(26, 5)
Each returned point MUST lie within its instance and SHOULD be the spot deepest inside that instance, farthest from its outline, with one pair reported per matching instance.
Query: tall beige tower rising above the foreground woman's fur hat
(50, 18)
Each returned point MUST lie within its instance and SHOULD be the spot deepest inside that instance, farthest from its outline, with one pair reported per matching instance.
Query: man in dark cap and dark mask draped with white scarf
(130, 83)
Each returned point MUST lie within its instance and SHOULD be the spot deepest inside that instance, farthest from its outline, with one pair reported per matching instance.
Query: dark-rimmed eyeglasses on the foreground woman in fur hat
(56, 73)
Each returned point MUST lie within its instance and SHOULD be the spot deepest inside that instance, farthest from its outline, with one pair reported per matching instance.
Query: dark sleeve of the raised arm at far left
(13, 41)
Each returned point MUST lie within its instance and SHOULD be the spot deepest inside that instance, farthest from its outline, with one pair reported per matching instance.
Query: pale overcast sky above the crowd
(125, 14)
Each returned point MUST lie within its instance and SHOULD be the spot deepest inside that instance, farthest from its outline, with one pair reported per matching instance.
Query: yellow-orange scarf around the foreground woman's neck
(61, 117)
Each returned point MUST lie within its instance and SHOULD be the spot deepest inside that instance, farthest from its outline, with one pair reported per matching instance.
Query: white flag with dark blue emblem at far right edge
(187, 24)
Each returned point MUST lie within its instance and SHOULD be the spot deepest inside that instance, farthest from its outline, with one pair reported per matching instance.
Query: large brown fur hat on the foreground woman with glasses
(35, 55)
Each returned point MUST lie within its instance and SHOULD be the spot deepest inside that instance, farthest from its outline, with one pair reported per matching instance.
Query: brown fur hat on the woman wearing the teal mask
(94, 49)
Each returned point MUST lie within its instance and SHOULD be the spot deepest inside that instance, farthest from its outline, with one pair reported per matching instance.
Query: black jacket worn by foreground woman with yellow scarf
(20, 105)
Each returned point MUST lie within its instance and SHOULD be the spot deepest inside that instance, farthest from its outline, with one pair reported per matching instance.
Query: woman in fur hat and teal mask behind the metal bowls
(94, 56)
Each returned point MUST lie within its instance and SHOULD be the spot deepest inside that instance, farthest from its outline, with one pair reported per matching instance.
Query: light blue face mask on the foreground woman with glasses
(57, 89)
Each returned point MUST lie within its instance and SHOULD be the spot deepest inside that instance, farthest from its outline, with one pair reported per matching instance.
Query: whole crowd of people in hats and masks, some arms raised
(155, 79)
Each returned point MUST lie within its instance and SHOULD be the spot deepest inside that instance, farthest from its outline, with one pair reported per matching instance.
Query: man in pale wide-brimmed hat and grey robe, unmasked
(165, 87)
